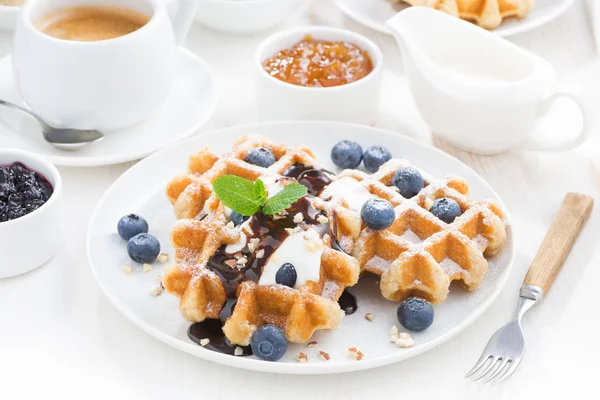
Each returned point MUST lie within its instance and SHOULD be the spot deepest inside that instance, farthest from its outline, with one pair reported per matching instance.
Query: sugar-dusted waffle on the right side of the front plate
(420, 255)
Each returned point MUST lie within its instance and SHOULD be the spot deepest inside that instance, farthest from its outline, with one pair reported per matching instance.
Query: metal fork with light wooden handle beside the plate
(505, 349)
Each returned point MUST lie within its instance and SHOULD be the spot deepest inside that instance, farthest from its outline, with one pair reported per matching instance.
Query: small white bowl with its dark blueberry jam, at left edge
(30, 211)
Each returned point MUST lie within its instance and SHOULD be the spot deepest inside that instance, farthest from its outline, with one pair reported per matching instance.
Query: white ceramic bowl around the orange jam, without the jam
(356, 102)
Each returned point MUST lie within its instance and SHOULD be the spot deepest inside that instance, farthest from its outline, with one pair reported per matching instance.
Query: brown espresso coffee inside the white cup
(91, 23)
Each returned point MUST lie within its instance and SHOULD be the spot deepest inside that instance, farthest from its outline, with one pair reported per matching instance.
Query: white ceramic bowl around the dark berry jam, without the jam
(28, 242)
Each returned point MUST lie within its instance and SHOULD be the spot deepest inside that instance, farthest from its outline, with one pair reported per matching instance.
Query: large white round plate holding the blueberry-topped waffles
(142, 190)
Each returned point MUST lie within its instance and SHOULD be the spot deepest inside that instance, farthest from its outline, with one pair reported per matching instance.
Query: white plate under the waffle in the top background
(374, 13)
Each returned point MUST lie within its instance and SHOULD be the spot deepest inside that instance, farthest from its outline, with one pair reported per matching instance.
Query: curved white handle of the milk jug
(545, 144)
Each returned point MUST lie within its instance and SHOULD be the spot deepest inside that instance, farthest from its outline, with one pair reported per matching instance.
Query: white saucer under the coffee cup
(190, 104)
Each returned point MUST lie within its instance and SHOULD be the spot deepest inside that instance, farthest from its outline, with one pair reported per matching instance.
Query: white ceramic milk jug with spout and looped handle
(478, 91)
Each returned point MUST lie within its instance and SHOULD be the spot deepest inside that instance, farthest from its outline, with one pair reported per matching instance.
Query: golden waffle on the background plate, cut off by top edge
(488, 14)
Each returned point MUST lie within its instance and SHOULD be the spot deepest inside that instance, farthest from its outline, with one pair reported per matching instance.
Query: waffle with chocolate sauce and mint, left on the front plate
(204, 227)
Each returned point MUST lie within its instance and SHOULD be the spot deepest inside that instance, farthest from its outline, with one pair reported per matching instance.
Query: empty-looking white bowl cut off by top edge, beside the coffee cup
(240, 17)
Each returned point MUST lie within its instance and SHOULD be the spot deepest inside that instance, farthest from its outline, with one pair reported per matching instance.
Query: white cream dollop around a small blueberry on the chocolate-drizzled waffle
(301, 249)
